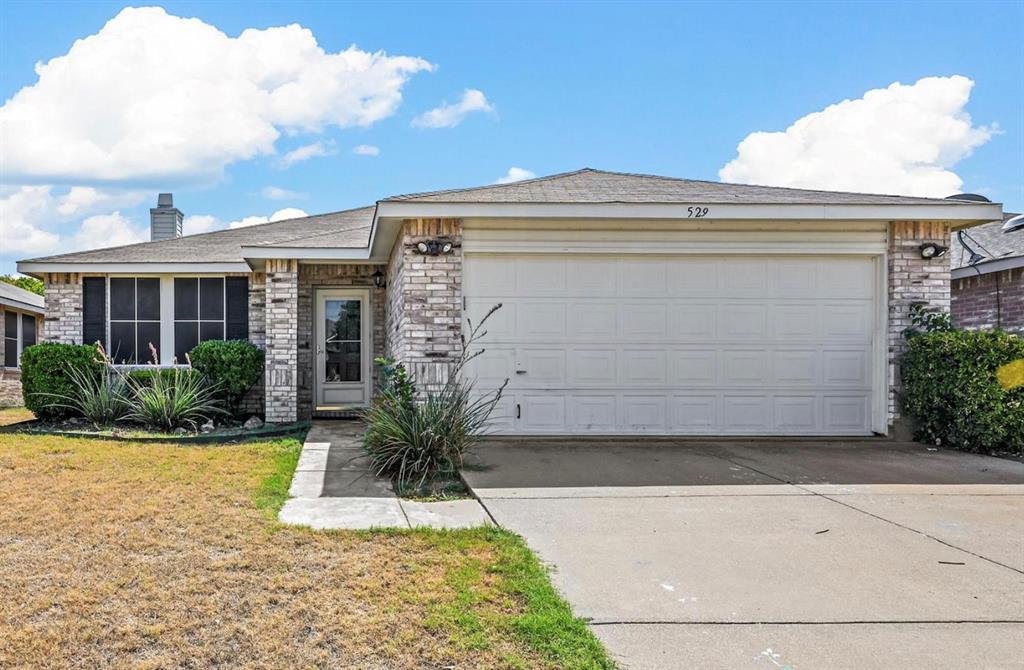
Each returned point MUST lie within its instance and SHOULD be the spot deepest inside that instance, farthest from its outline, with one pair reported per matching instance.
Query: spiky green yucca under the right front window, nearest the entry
(179, 398)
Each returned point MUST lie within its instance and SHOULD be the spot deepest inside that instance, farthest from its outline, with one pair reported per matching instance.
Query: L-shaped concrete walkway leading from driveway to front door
(334, 488)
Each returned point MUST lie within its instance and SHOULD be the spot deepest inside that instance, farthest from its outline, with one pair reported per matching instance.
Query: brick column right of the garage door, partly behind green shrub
(913, 280)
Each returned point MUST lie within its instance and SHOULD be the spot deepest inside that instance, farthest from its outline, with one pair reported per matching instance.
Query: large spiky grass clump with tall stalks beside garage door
(416, 438)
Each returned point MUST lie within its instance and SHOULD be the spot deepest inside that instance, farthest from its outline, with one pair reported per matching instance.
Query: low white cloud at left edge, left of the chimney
(30, 217)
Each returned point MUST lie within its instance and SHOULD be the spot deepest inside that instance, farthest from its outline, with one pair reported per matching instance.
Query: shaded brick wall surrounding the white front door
(313, 277)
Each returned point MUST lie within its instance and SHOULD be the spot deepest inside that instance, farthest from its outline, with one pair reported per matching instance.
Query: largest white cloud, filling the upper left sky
(153, 96)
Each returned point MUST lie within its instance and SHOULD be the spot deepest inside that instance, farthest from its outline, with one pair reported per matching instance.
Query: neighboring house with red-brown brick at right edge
(989, 294)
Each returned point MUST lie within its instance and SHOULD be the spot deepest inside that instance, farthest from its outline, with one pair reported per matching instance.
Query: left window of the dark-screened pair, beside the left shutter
(135, 319)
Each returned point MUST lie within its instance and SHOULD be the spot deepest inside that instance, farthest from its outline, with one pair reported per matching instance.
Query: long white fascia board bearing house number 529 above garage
(960, 213)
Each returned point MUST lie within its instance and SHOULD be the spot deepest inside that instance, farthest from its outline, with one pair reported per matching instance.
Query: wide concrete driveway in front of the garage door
(775, 555)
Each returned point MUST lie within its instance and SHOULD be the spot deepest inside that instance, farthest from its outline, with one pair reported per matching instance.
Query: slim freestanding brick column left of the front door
(282, 341)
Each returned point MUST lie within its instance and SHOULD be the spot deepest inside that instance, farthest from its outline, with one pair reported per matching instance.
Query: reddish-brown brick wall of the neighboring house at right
(991, 301)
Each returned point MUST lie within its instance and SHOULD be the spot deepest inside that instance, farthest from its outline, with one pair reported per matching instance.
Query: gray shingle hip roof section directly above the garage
(590, 186)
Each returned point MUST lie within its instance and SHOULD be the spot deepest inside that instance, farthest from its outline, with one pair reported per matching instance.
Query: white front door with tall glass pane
(344, 349)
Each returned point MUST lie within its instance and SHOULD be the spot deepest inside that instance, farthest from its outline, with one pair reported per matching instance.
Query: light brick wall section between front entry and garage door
(425, 302)
